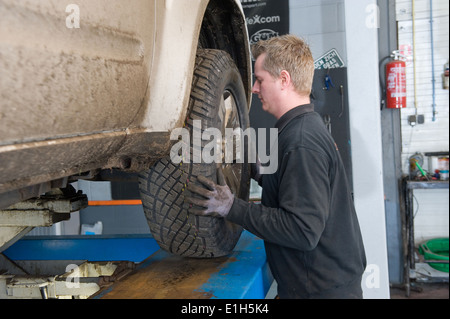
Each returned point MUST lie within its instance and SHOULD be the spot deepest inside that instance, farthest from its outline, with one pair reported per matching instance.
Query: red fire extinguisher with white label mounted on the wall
(396, 82)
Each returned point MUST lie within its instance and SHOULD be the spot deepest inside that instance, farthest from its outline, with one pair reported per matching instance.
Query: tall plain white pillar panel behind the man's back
(365, 126)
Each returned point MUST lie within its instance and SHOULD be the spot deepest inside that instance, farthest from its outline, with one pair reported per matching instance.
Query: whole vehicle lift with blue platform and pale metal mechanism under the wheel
(132, 267)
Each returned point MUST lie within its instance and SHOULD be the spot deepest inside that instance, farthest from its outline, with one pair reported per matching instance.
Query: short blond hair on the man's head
(291, 54)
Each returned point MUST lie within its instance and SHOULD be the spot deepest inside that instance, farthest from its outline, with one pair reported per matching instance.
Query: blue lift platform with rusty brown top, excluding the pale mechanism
(244, 274)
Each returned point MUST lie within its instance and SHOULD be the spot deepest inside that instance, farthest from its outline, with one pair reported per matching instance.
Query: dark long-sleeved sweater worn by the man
(307, 217)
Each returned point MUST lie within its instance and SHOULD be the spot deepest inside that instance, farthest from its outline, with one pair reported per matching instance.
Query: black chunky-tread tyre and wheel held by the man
(217, 84)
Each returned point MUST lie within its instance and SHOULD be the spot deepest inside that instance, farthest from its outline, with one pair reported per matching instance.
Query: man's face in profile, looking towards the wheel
(266, 87)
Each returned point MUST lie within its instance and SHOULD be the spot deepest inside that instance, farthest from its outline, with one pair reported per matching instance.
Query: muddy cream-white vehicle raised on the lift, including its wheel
(98, 86)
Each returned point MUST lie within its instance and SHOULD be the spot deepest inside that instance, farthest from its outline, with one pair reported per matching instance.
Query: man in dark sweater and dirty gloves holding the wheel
(307, 216)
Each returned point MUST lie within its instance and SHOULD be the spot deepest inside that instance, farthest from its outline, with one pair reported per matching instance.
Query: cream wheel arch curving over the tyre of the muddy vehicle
(209, 24)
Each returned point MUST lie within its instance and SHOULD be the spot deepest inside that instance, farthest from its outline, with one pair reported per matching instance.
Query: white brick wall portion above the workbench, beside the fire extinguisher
(432, 136)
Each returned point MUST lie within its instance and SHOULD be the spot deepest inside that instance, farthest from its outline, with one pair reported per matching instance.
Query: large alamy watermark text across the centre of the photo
(210, 146)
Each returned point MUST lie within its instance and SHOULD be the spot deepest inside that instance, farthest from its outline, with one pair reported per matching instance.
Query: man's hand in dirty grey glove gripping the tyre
(218, 199)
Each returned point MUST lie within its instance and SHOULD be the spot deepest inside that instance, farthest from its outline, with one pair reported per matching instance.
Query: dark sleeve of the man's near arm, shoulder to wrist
(304, 197)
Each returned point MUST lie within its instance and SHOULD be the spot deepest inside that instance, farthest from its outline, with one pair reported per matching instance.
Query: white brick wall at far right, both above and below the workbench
(431, 206)
